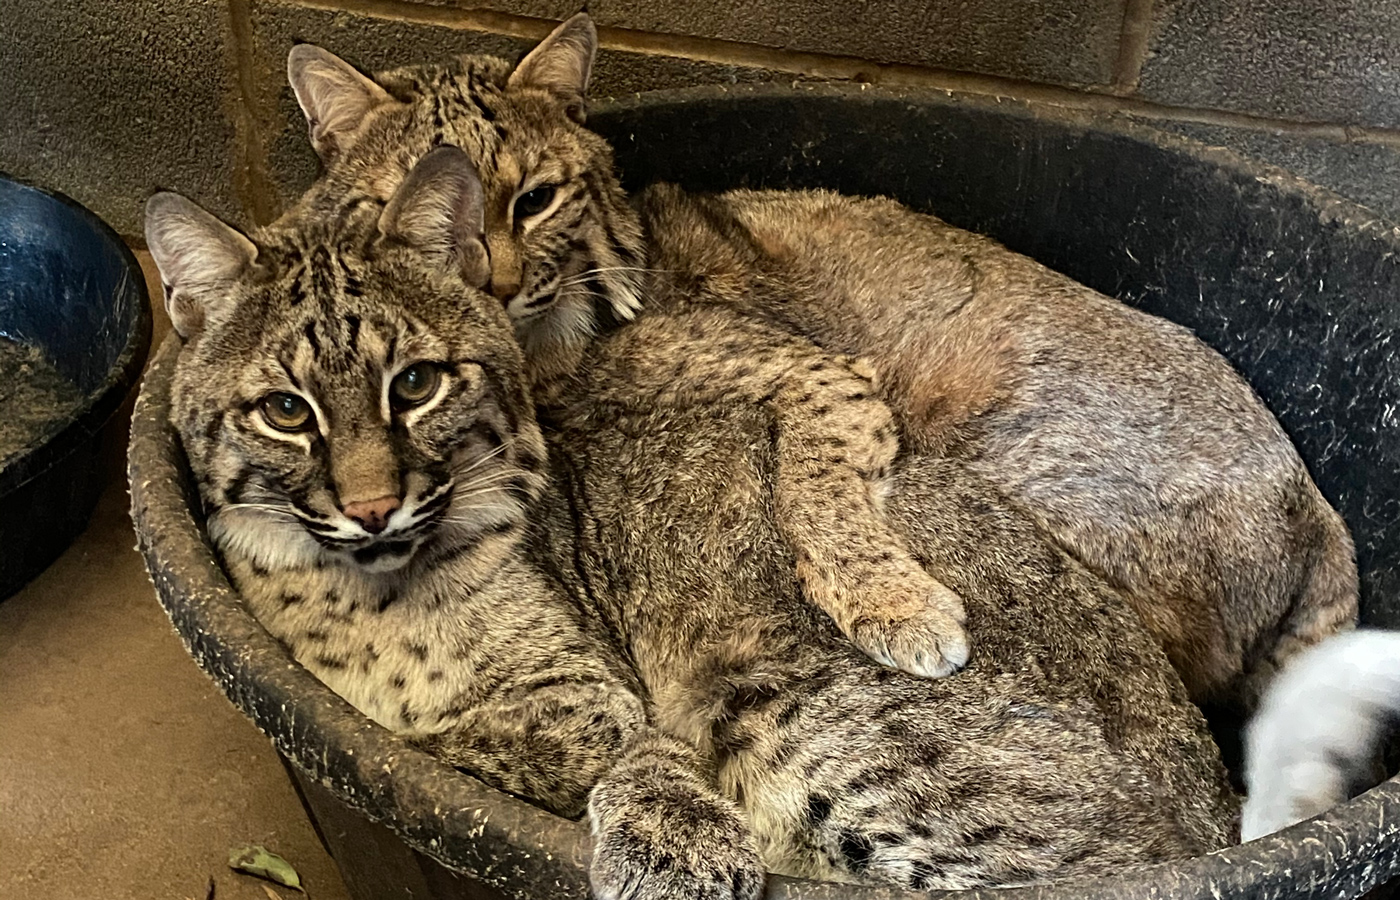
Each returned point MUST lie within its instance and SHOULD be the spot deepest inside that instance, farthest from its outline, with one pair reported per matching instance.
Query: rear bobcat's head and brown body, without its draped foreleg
(1133, 444)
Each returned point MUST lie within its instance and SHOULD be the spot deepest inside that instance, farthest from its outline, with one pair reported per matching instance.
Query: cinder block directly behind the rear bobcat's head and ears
(372, 44)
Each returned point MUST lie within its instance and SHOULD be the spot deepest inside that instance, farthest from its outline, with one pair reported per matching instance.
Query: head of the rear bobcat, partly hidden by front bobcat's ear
(565, 250)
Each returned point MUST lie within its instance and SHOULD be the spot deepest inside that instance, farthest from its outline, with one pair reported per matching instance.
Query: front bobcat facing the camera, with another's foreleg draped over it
(597, 600)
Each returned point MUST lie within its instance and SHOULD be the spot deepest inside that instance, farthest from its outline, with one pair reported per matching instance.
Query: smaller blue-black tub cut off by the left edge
(72, 292)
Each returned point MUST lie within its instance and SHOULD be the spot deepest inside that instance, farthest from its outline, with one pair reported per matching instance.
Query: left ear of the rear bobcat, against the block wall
(335, 97)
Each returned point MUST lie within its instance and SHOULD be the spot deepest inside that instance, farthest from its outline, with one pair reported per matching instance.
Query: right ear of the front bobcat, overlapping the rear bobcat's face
(439, 211)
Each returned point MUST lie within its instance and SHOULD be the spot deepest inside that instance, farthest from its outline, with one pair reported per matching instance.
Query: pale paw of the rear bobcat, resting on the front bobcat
(929, 642)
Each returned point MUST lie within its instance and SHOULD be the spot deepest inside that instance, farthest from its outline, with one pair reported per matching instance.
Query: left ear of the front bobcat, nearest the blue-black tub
(198, 255)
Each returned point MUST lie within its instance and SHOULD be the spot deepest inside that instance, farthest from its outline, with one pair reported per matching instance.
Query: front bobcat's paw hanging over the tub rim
(663, 841)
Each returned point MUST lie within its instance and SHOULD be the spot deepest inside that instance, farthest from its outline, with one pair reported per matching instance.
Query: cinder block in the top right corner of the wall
(1296, 59)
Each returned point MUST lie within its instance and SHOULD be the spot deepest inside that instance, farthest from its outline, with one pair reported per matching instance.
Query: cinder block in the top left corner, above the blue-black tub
(107, 101)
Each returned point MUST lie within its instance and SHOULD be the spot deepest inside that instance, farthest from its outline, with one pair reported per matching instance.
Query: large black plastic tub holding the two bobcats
(1296, 286)
